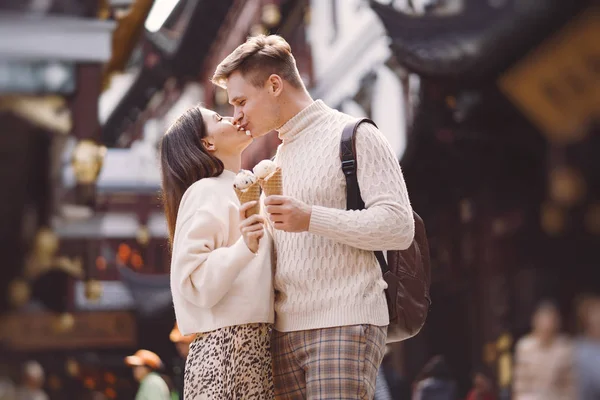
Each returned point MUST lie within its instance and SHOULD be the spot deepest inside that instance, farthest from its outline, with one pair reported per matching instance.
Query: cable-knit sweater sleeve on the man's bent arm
(387, 221)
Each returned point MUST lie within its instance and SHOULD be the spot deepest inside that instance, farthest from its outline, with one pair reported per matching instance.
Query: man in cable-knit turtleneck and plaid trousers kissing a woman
(331, 311)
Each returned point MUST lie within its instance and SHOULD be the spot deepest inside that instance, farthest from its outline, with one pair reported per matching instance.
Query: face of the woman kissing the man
(222, 137)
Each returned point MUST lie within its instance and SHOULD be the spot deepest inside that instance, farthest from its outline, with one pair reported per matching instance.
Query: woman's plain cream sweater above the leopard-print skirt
(216, 281)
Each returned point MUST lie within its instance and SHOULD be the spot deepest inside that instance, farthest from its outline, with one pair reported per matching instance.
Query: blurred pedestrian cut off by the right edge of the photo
(587, 349)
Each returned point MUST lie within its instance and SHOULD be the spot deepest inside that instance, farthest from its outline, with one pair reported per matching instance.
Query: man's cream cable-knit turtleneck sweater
(329, 276)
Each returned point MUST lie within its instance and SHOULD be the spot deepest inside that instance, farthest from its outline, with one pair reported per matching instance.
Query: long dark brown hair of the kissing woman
(184, 160)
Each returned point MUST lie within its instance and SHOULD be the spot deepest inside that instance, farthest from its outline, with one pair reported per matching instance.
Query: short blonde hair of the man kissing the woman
(257, 59)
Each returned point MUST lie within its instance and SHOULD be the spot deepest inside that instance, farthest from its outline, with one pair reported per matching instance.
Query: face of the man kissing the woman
(256, 109)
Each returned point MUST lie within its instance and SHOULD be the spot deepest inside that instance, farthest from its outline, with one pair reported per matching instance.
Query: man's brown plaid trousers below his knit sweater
(328, 363)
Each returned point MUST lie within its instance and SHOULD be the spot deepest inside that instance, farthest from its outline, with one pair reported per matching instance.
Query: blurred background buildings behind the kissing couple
(491, 107)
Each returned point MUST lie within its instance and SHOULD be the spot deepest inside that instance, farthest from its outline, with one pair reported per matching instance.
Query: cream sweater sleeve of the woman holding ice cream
(203, 267)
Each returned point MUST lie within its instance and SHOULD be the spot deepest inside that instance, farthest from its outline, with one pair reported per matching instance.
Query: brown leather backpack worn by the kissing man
(407, 272)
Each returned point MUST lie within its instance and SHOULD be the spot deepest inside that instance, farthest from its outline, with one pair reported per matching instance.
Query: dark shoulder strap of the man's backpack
(354, 199)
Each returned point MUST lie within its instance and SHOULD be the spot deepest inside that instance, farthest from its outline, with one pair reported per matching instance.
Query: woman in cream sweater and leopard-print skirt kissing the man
(221, 276)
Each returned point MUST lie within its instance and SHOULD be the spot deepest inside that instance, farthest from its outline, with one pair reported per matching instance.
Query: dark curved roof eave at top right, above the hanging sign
(479, 40)
